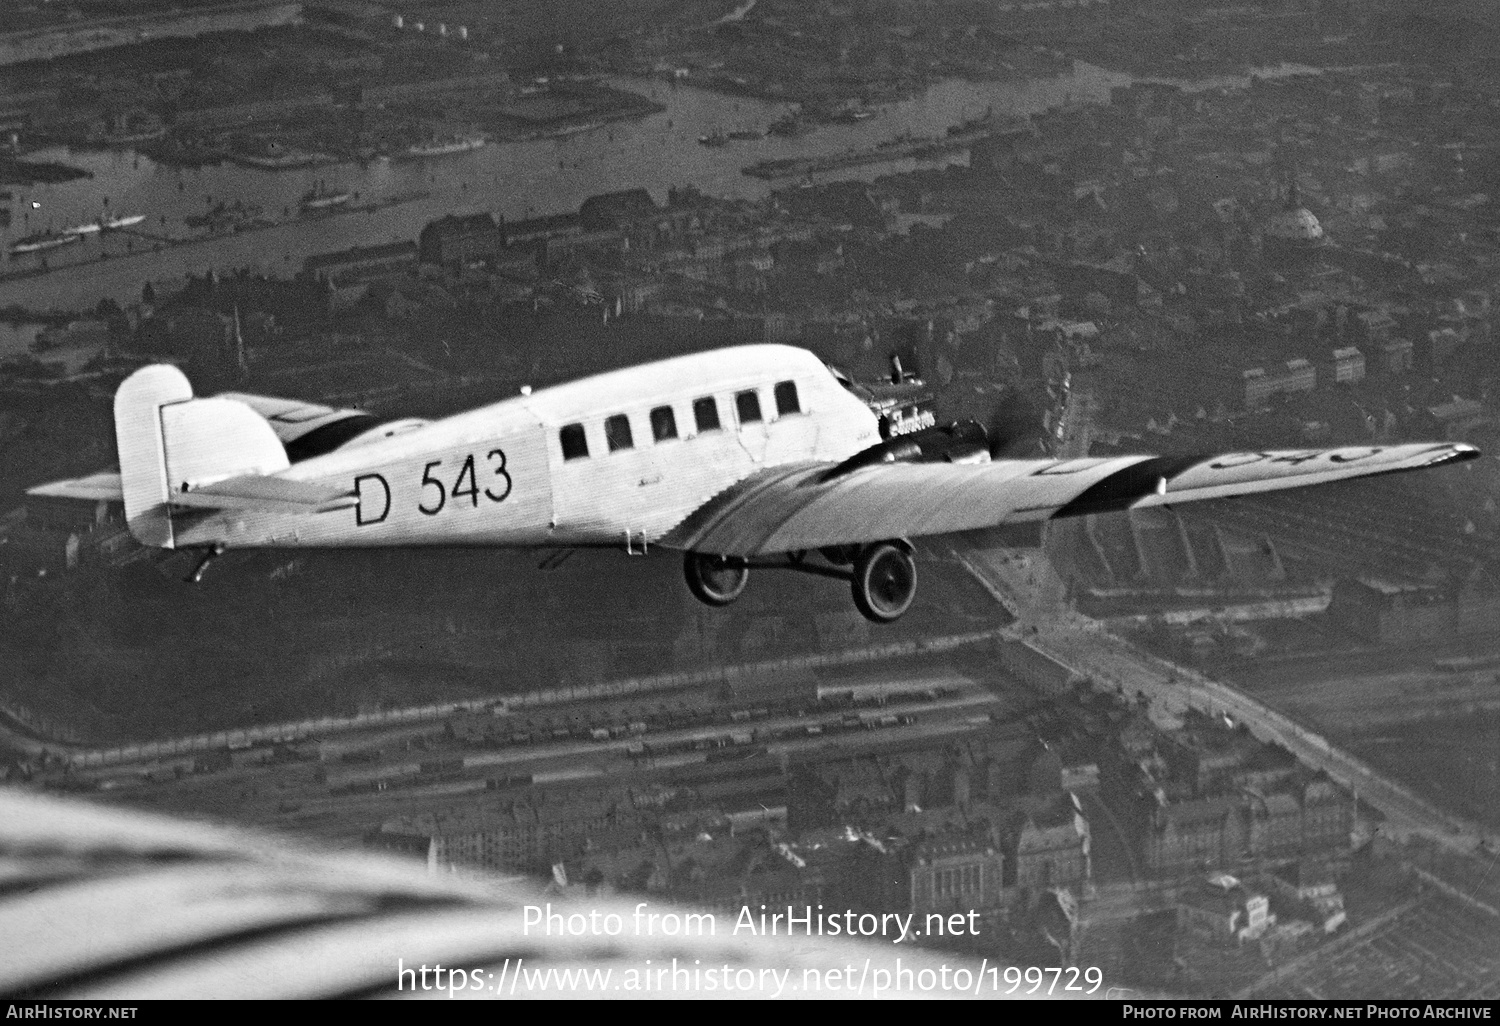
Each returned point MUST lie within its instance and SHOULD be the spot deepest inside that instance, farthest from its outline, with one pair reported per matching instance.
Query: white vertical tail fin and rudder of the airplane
(170, 442)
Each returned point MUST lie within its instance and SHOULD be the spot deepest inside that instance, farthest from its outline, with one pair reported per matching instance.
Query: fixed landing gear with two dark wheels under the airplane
(883, 578)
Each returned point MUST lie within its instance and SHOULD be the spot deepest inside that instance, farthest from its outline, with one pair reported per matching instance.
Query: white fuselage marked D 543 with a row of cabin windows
(500, 476)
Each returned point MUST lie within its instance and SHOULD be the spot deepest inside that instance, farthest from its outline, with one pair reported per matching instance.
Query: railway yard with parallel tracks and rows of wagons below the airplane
(341, 788)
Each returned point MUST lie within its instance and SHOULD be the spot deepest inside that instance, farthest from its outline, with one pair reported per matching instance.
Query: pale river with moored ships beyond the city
(514, 181)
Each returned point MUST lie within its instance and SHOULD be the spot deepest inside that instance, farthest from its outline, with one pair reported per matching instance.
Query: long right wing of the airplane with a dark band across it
(811, 506)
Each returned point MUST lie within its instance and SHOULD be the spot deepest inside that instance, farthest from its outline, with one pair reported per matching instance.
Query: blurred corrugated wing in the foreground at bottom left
(106, 904)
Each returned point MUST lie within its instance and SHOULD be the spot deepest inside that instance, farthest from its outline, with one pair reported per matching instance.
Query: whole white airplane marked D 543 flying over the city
(745, 458)
